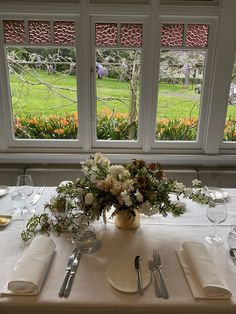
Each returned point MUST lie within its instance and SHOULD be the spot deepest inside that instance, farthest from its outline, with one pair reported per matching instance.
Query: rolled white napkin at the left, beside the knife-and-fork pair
(30, 271)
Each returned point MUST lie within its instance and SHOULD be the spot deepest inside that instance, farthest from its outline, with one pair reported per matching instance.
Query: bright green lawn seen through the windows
(175, 101)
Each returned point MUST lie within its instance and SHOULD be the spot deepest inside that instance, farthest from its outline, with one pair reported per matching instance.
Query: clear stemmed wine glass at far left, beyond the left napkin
(25, 188)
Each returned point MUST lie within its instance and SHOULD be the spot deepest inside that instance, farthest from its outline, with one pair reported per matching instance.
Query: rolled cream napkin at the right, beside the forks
(203, 276)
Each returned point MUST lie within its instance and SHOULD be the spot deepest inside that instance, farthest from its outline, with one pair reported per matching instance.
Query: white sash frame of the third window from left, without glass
(205, 97)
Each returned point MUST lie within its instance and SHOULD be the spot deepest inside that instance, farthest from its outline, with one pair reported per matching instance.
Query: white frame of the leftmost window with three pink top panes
(11, 141)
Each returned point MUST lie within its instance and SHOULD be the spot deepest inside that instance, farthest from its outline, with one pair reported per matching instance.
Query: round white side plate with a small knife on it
(122, 275)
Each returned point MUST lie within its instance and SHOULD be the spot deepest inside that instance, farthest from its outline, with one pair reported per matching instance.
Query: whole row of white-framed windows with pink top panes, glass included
(147, 79)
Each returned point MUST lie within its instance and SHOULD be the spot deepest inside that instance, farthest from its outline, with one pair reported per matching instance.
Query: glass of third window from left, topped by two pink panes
(181, 80)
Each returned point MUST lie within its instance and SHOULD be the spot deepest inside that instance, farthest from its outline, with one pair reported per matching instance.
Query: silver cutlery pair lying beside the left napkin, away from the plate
(72, 265)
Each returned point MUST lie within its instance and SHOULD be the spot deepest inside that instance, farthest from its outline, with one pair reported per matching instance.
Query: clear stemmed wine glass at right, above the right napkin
(216, 215)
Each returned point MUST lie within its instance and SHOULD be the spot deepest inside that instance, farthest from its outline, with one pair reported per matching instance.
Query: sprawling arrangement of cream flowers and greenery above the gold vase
(131, 189)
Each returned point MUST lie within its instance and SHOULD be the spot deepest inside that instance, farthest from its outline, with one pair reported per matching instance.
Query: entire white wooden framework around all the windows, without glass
(210, 151)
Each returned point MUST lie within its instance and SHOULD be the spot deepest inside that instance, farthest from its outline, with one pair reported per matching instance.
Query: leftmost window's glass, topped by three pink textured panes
(42, 70)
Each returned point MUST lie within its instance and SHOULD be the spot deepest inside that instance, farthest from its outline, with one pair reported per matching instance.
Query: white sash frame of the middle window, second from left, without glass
(143, 77)
